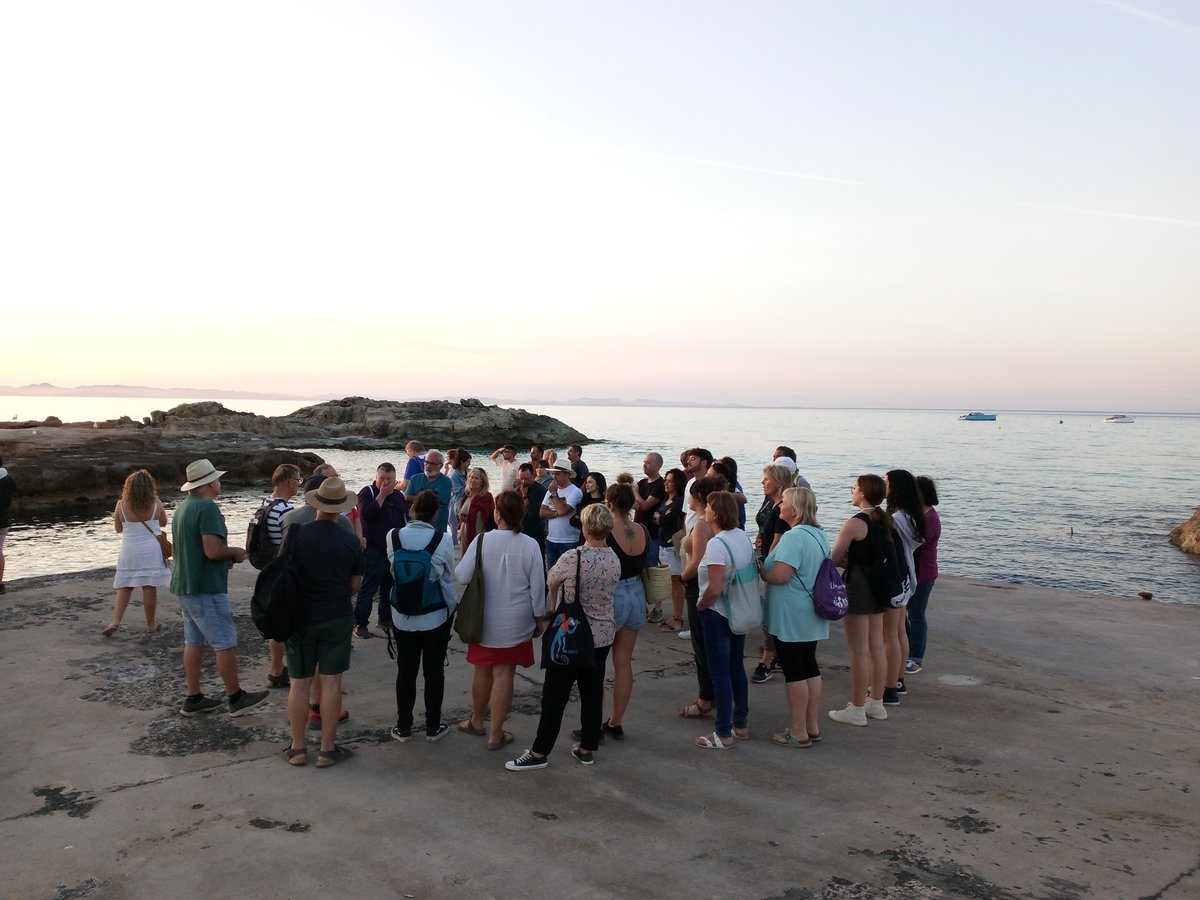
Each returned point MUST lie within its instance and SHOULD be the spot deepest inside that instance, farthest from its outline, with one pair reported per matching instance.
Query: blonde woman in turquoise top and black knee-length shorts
(790, 572)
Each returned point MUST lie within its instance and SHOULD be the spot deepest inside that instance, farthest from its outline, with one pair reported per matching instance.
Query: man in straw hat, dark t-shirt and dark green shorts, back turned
(329, 563)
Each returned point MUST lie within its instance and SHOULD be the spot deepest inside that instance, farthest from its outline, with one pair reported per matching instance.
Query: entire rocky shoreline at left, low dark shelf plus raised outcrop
(87, 463)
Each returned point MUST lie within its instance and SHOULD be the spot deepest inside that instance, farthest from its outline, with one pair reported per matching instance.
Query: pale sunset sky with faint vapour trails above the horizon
(988, 205)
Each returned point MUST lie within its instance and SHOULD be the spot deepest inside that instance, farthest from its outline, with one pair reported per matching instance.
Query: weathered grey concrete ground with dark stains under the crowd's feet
(1048, 751)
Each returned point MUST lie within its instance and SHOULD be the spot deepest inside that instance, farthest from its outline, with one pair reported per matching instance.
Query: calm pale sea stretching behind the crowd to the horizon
(1058, 500)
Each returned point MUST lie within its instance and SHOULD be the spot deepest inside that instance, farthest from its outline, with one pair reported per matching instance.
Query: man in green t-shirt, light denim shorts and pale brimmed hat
(201, 583)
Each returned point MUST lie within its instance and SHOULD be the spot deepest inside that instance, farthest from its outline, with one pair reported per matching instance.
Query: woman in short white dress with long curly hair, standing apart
(140, 519)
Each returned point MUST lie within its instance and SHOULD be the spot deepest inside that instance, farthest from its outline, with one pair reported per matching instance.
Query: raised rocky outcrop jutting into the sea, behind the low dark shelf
(364, 424)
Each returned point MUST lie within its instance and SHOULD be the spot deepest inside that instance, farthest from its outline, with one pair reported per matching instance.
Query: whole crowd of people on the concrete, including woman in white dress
(554, 535)
